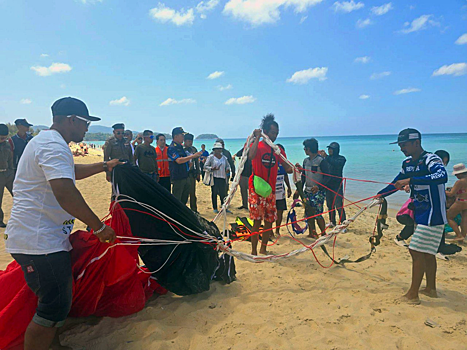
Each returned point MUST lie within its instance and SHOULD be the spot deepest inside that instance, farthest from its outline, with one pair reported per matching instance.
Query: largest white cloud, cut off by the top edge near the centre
(257, 12)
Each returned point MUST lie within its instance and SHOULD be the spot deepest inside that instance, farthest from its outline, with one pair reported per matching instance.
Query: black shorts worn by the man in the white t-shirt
(49, 276)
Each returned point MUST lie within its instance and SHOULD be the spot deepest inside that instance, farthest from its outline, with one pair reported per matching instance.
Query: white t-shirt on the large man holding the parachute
(38, 225)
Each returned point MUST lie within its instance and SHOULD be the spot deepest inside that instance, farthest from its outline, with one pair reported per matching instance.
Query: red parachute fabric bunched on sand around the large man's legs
(107, 282)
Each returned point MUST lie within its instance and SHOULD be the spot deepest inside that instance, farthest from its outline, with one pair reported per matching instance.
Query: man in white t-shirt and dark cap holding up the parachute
(45, 206)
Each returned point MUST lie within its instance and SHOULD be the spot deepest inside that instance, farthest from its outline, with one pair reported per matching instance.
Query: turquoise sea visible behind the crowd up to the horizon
(368, 158)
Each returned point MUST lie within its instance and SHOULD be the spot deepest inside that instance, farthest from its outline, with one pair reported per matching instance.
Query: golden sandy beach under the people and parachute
(293, 304)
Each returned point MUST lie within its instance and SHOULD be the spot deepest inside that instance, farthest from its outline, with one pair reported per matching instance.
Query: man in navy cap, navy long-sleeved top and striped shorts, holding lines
(426, 176)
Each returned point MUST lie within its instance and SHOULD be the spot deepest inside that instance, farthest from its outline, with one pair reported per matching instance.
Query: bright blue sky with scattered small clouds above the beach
(322, 67)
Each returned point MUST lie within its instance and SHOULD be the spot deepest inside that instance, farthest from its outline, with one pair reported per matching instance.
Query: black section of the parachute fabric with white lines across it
(182, 269)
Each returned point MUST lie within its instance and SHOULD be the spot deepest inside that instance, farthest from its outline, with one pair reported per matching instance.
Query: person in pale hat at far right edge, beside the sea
(459, 191)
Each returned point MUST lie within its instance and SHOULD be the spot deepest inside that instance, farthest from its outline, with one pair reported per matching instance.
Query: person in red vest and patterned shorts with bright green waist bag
(262, 184)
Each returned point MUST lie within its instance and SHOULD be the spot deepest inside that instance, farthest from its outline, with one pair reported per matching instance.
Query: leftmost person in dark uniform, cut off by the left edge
(6, 167)
